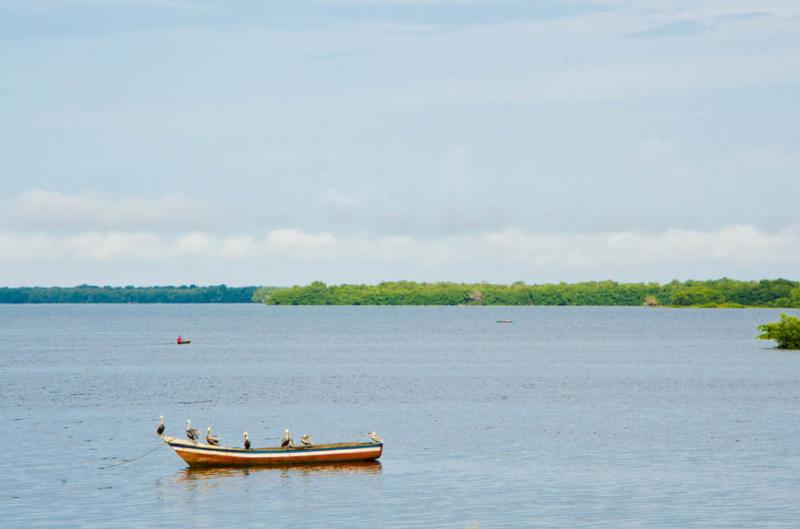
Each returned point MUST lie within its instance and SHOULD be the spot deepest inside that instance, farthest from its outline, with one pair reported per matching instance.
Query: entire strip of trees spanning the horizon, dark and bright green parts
(715, 293)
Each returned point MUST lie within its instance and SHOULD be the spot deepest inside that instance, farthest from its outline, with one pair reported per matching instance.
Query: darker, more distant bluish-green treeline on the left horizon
(129, 294)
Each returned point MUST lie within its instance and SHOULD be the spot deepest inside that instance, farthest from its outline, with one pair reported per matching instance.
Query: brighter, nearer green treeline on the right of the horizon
(715, 293)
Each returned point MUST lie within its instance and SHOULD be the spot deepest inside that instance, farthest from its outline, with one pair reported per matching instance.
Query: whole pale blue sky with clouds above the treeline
(277, 143)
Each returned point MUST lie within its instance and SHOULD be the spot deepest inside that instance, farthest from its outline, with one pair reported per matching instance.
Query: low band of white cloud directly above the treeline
(289, 255)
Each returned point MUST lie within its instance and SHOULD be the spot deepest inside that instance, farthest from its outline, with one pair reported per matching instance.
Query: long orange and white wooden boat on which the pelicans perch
(205, 455)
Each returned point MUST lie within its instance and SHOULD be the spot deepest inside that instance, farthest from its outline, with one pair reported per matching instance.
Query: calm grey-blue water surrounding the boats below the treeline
(569, 417)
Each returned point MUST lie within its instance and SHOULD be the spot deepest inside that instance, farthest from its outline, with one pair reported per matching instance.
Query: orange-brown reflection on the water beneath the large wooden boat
(190, 474)
